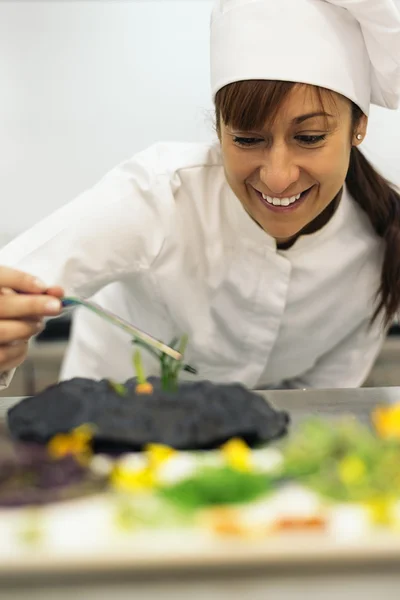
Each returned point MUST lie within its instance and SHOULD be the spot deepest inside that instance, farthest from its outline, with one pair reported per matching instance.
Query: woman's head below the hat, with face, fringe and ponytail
(302, 189)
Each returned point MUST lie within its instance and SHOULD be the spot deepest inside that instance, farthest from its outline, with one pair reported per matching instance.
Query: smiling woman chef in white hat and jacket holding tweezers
(276, 249)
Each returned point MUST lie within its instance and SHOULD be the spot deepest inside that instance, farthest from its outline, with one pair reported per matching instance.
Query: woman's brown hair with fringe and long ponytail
(248, 105)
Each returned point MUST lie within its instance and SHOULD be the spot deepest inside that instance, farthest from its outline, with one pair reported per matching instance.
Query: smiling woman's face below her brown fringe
(286, 174)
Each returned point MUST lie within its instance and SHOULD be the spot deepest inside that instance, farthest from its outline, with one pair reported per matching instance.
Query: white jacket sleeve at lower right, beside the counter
(348, 364)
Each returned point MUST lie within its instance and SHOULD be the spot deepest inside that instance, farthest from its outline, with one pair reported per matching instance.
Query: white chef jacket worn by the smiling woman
(163, 242)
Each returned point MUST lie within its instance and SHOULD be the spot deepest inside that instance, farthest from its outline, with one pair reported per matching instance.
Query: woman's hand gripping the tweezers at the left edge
(24, 302)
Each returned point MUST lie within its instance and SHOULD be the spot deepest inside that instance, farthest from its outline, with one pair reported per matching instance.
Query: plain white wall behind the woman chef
(85, 84)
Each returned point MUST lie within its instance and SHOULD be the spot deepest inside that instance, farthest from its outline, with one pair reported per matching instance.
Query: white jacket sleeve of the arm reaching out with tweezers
(115, 229)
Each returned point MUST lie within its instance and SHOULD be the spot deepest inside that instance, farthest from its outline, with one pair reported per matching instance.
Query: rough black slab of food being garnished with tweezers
(200, 415)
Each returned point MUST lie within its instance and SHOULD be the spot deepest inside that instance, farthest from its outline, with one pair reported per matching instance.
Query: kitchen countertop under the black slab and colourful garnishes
(294, 566)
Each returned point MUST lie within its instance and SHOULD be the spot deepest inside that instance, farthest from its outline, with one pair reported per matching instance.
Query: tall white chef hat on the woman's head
(349, 46)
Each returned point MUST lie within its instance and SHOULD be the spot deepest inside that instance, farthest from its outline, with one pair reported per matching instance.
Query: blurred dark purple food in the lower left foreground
(29, 476)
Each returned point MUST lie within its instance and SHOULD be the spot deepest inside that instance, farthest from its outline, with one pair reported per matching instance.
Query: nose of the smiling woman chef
(278, 171)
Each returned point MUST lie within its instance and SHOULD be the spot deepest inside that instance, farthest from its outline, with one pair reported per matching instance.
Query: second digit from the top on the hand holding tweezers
(29, 305)
